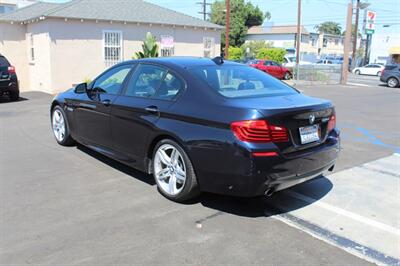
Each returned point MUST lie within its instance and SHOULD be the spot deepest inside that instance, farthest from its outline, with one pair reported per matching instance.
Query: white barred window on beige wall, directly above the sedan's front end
(112, 42)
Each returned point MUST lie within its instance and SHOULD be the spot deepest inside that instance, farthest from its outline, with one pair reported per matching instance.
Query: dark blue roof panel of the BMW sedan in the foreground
(182, 61)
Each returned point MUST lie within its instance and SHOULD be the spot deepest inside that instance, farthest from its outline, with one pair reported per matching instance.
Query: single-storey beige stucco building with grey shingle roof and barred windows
(54, 46)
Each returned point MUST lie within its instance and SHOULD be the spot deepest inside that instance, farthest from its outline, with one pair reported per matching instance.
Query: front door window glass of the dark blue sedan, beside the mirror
(111, 81)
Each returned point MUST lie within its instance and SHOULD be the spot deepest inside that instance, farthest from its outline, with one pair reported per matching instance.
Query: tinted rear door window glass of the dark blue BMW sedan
(145, 81)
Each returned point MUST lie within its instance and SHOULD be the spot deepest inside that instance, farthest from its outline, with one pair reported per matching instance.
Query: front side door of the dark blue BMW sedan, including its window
(92, 111)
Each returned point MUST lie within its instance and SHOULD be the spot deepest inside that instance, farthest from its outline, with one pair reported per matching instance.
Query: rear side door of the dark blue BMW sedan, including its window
(148, 94)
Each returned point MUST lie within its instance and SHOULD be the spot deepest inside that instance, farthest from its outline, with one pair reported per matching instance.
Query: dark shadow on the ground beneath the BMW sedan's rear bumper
(279, 203)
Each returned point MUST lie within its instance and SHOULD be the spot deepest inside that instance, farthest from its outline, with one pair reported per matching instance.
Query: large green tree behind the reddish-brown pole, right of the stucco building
(243, 16)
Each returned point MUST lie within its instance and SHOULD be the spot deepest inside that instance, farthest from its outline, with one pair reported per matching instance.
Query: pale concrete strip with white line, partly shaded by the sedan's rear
(355, 209)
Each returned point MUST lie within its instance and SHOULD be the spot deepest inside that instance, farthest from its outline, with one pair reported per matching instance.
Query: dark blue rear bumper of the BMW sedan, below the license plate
(252, 176)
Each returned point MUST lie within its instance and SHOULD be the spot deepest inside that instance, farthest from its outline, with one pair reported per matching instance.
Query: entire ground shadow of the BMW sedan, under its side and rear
(253, 207)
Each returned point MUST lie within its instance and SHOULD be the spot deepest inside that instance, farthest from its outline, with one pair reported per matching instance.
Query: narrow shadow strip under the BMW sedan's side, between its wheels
(118, 166)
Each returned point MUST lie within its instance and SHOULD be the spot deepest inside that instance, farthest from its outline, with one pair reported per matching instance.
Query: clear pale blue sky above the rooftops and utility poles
(284, 12)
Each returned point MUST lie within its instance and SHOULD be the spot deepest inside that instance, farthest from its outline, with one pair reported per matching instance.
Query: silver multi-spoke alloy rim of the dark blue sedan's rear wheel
(169, 169)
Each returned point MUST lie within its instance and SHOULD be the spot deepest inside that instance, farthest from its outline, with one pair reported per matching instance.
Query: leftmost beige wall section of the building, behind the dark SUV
(13, 46)
